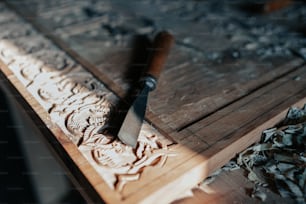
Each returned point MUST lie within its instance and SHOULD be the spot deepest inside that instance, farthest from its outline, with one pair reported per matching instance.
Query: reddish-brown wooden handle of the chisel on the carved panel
(161, 49)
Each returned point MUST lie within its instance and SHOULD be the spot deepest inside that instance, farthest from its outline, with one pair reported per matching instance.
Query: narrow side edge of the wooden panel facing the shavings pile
(205, 163)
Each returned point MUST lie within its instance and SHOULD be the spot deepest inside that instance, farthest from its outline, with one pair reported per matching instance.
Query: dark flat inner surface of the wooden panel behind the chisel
(208, 69)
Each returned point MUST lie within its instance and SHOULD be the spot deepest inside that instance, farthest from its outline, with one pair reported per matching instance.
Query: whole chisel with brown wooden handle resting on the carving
(132, 122)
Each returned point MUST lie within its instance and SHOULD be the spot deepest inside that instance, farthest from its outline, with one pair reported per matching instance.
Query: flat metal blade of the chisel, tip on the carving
(131, 126)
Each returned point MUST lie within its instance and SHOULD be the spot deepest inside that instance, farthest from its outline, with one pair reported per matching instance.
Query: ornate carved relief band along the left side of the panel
(79, 104)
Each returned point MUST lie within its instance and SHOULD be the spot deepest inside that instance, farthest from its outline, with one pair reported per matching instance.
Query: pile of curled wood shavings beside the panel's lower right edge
(278, 161)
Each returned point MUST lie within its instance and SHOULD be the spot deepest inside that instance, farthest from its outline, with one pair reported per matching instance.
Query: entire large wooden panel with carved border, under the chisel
(230, 75)
